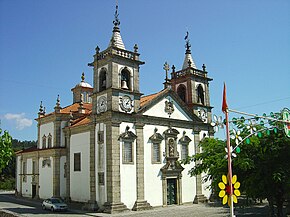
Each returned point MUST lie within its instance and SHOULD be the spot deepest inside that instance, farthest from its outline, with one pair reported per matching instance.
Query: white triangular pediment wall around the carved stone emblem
(158, 110)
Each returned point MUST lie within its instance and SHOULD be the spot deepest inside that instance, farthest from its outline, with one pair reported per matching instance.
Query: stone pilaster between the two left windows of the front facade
(140, 203)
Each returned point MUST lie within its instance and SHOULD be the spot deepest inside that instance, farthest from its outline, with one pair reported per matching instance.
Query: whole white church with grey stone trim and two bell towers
(115, 149)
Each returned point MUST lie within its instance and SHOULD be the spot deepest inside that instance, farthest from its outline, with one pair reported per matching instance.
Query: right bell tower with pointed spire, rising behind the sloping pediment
(192, 85)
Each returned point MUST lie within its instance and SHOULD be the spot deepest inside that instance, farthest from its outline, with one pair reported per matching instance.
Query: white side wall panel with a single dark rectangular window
(80, 180)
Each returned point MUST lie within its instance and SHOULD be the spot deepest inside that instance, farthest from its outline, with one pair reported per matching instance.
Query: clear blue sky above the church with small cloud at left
(46, 45)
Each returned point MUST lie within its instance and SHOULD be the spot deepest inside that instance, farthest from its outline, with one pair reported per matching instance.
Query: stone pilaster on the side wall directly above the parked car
(56, 175)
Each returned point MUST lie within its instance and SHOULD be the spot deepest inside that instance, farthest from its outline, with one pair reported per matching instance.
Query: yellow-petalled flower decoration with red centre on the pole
(225, 190)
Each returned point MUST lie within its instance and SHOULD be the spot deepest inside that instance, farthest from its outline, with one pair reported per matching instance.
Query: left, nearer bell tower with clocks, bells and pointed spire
(116, 75)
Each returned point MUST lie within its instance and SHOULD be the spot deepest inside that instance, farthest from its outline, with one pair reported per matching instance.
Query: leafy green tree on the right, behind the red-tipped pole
(262, 166)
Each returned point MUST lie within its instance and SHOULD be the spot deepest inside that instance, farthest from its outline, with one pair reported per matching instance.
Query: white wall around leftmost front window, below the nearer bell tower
(128, 173)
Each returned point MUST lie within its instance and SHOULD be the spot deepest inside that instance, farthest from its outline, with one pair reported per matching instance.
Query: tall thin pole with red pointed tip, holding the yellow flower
(230, 173)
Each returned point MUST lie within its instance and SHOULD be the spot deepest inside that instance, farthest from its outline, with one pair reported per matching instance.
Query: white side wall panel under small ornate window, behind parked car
(45, 179)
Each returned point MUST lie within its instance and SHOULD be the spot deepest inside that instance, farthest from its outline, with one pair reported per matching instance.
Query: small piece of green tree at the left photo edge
(6, 151)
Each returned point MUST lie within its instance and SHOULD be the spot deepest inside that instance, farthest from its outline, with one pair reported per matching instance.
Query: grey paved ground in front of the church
(32, 208)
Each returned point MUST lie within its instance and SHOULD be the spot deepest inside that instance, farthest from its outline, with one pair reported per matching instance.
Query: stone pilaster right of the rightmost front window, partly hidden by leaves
(199, 197)
